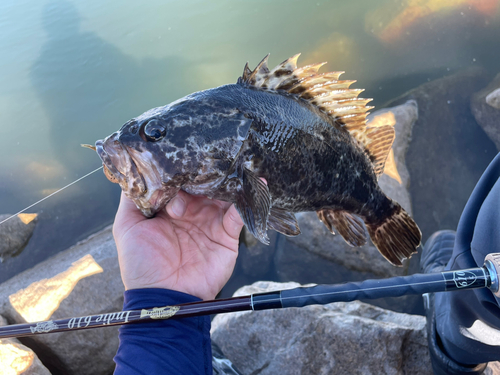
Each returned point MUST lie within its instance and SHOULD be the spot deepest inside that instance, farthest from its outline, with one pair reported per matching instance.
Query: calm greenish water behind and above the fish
(73, 72)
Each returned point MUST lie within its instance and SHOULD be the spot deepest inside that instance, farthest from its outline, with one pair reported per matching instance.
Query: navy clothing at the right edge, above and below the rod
(468, 322)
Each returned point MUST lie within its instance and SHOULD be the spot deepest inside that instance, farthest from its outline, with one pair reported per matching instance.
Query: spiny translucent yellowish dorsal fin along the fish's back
(332, 96)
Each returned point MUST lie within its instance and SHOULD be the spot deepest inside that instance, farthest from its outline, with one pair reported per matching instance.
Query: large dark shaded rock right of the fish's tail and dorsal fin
(448, 151)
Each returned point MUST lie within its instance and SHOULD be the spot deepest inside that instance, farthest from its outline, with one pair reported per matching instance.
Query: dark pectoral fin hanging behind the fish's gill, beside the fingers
(253, 205)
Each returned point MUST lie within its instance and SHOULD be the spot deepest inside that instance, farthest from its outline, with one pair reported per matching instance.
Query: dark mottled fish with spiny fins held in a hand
(305, 133)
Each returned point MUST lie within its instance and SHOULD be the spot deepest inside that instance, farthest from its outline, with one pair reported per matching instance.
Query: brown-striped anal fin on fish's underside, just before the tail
(349, 226)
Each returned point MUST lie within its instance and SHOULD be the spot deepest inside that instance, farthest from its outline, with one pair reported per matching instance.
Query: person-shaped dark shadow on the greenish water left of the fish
(84, 81)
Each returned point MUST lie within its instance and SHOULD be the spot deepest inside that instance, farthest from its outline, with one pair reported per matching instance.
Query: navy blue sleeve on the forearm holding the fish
(171, 346)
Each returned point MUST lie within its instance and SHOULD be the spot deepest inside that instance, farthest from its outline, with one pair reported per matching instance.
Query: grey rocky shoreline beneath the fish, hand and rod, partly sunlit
(336, 339)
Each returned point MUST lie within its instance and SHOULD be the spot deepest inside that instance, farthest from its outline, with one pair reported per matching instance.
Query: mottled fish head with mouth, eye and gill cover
(186, 145)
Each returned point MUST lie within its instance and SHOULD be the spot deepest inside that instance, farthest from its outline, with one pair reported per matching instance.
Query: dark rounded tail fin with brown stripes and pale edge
(397, 237)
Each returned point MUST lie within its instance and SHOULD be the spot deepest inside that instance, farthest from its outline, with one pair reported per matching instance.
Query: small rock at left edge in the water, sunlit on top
(15, 234)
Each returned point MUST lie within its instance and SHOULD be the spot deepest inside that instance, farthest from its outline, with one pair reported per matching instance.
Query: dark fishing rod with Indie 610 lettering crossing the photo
(465, 279)
